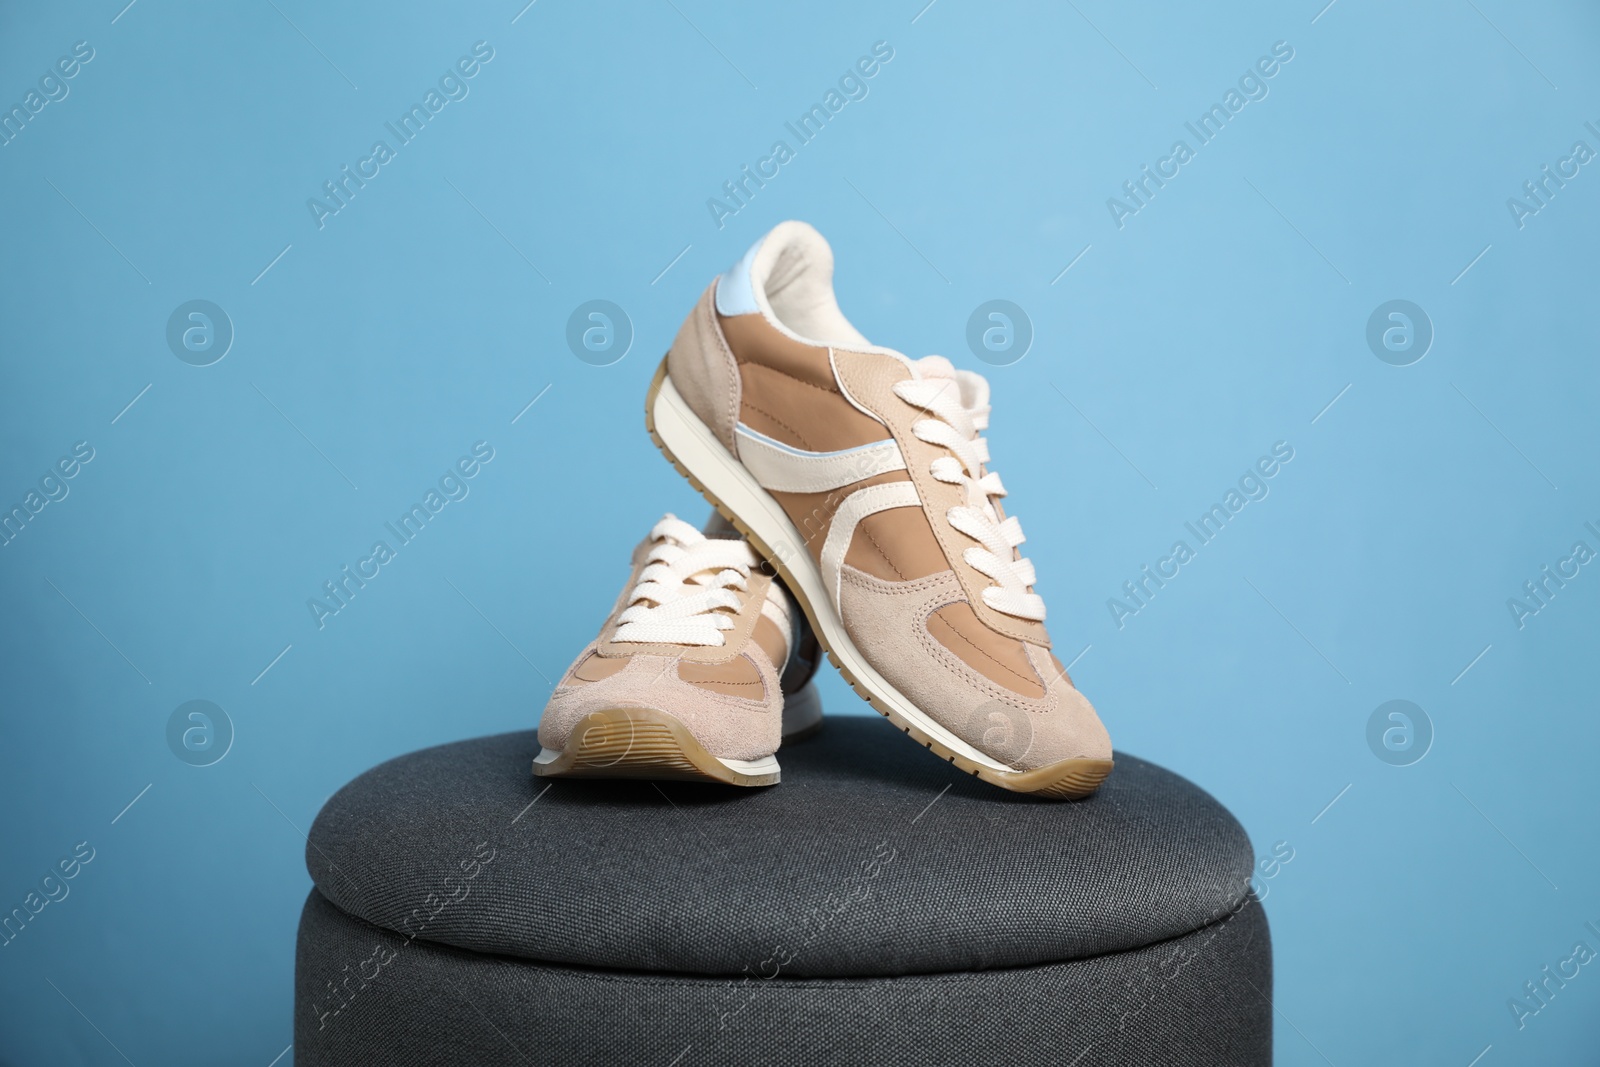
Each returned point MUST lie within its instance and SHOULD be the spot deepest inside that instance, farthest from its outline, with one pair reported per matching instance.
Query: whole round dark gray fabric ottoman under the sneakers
(876, 908)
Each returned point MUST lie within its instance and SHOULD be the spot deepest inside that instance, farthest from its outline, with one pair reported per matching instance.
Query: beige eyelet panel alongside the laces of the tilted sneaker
(870, 378)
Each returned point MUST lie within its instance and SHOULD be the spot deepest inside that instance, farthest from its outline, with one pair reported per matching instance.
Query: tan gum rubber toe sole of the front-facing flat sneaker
(646, 745)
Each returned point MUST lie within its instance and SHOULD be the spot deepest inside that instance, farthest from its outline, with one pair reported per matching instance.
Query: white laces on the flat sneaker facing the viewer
(686, 594)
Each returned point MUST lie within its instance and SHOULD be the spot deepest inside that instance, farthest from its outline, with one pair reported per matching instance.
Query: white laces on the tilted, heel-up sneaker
(959, 404)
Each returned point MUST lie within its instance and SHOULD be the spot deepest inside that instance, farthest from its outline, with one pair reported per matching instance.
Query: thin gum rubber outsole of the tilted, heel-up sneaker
(1068, 780)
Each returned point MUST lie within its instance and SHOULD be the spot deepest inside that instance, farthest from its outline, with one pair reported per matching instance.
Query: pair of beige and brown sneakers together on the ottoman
(863, 511)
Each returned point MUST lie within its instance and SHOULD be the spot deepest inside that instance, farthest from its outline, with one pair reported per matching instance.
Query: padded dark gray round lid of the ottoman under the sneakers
(841, 871)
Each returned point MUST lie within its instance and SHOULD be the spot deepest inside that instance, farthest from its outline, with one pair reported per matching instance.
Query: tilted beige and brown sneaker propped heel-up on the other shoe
(863, 478)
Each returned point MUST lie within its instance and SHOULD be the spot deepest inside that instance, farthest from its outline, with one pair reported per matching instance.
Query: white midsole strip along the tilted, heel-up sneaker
(726, 478)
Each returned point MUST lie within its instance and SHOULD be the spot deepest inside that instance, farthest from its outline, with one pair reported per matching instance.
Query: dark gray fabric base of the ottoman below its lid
(1193, 1002)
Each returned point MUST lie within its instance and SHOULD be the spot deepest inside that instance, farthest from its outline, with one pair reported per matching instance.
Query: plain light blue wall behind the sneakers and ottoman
(1222, 319)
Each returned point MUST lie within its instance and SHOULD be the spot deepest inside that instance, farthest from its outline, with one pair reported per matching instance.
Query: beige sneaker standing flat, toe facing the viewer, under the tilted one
(687, 679)
